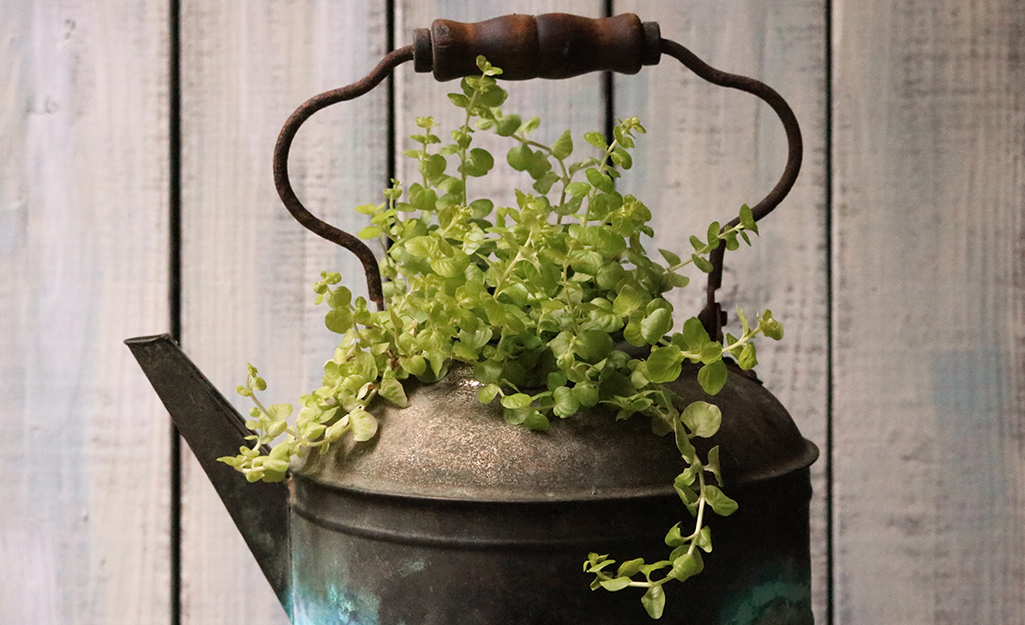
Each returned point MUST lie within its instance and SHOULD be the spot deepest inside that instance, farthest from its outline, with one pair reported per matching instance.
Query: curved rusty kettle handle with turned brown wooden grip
(553, 46)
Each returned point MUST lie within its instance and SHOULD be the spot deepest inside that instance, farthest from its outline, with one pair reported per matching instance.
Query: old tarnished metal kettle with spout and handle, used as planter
(490, 525)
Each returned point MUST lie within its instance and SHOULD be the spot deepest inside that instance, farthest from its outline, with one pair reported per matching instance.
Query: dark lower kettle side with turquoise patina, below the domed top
(395, 560)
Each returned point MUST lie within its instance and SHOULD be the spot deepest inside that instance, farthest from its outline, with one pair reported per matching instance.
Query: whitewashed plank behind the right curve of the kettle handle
(710, 150)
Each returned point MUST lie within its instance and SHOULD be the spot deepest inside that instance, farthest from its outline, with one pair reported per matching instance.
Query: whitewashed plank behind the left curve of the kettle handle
(248, 266)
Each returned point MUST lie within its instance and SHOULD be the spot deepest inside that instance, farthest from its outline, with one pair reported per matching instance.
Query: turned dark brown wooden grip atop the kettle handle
(553, 46)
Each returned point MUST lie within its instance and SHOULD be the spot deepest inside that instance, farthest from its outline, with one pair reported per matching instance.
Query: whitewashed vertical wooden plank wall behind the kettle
(898, 268)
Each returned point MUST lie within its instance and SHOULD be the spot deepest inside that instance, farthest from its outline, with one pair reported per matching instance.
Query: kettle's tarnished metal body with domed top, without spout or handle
(454, 517)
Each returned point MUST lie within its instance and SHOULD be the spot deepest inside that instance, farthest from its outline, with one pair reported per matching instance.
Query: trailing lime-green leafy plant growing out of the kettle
(535, 297)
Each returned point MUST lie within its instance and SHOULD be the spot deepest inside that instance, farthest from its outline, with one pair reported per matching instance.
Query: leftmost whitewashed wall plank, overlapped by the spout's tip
(84, 265)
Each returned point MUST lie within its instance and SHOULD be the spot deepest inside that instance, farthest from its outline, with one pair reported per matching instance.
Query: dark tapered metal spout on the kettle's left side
(214, 429)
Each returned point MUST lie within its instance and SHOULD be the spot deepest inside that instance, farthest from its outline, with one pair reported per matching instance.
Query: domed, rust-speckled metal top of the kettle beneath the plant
(447, 444)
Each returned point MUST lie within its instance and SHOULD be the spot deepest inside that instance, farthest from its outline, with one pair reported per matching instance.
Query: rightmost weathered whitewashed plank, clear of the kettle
(930, 311)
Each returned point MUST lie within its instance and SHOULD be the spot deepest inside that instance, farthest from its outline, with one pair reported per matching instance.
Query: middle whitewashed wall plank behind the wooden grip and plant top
(578, 104)
